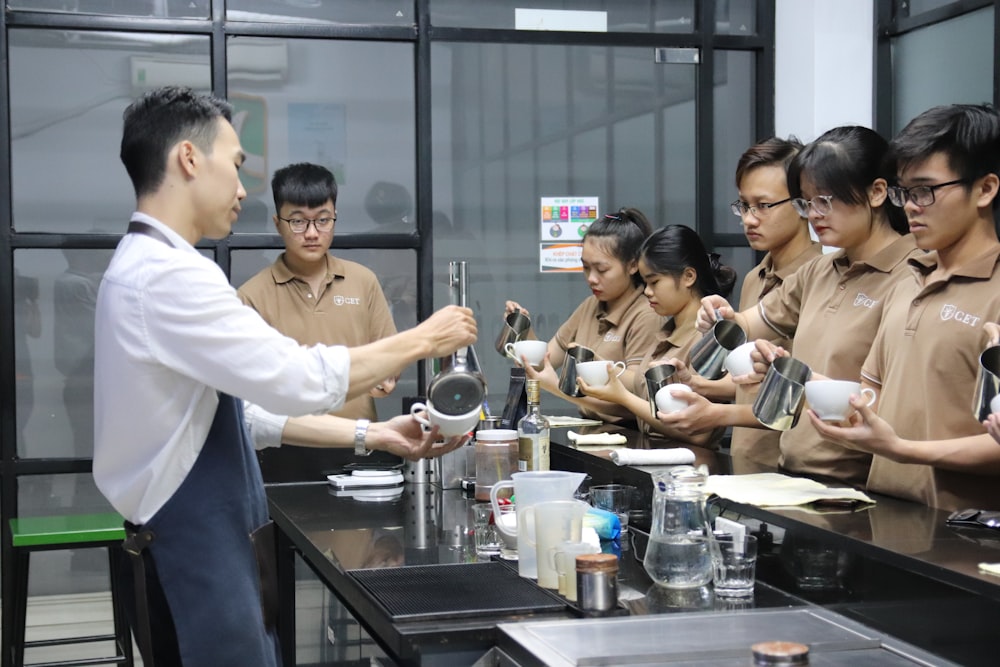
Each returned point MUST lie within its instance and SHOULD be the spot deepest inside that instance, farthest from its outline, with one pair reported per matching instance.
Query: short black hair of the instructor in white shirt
(155, 122)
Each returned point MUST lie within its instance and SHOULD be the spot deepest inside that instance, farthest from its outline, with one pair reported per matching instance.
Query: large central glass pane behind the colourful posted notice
(638, 112)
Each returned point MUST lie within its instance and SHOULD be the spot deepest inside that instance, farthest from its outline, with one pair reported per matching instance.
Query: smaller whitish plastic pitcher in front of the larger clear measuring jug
(553, 522)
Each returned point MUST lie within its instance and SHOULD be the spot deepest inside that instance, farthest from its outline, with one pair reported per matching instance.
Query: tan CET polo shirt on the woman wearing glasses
(832, 309)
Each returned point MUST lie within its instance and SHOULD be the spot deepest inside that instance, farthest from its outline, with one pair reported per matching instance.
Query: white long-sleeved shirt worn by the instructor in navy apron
(170, 332)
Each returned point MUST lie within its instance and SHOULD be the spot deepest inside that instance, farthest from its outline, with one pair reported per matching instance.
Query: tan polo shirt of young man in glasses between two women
(756, 444)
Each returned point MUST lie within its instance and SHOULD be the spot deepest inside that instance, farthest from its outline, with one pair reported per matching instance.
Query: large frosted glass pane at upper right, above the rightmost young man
(936, 53)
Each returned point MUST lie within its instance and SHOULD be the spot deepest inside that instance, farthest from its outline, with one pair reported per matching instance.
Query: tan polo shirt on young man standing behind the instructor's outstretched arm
(350, 310)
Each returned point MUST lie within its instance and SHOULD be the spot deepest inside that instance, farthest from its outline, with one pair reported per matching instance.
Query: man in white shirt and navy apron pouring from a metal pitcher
(174, 346)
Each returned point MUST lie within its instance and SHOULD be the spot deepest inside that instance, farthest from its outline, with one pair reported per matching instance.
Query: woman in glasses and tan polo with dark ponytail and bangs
(830, 307)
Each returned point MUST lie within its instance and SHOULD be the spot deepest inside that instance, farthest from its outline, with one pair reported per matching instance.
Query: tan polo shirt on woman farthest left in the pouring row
(626, 334)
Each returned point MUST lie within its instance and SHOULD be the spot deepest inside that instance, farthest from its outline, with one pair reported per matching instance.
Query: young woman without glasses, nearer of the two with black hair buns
(678, 272)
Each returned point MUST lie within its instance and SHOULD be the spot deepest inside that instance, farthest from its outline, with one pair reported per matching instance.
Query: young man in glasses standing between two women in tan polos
(772, 225)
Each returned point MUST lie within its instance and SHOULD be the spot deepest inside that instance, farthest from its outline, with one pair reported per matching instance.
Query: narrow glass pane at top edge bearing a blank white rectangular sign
(660, 16)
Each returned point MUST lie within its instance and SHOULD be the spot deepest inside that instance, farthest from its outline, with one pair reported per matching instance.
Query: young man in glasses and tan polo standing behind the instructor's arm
(307, 293)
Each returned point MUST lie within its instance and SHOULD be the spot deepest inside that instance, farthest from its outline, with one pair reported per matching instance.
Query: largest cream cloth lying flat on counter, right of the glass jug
(771, 489)
